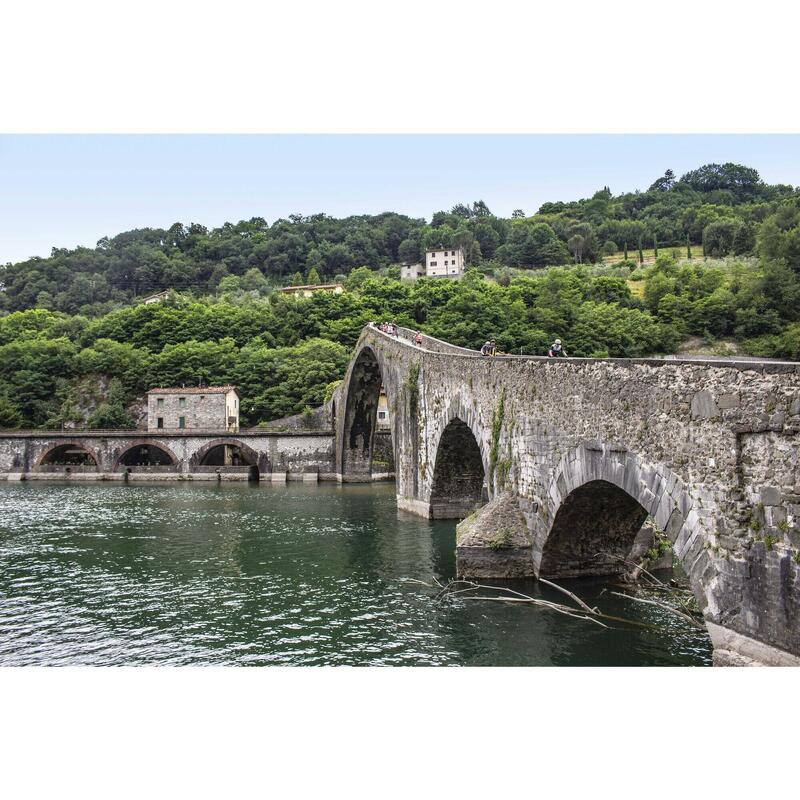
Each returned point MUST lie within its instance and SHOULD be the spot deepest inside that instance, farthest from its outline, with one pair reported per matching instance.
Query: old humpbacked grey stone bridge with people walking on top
(564, 459)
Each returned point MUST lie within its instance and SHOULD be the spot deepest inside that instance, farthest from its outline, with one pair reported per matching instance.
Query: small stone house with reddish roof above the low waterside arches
(192, 408)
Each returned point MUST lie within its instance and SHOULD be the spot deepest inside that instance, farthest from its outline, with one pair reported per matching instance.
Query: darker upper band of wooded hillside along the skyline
(716, 208)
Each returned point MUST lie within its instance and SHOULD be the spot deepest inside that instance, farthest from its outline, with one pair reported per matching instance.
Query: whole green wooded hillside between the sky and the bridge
(77, 349)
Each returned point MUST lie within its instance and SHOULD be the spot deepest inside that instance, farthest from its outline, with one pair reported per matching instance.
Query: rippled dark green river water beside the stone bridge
(196, 574)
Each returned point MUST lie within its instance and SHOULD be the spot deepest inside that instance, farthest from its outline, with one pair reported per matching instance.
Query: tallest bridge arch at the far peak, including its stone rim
(356, 431)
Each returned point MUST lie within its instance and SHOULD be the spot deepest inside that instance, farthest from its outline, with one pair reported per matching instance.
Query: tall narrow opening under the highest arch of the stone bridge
(362, 422)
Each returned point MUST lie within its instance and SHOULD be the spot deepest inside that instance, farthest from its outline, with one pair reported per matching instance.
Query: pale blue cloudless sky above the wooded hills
(65, 191)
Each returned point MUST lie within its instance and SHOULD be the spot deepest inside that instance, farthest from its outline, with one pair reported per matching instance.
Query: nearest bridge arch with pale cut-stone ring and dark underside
(596, 503)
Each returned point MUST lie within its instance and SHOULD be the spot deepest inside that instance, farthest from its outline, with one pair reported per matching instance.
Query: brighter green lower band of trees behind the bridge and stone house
(283, 352)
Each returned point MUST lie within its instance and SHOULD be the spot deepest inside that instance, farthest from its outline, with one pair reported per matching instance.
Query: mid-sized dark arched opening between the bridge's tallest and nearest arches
(458, 475)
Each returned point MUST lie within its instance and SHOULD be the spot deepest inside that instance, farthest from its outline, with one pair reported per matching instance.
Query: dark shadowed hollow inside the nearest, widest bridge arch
(593, 533)
